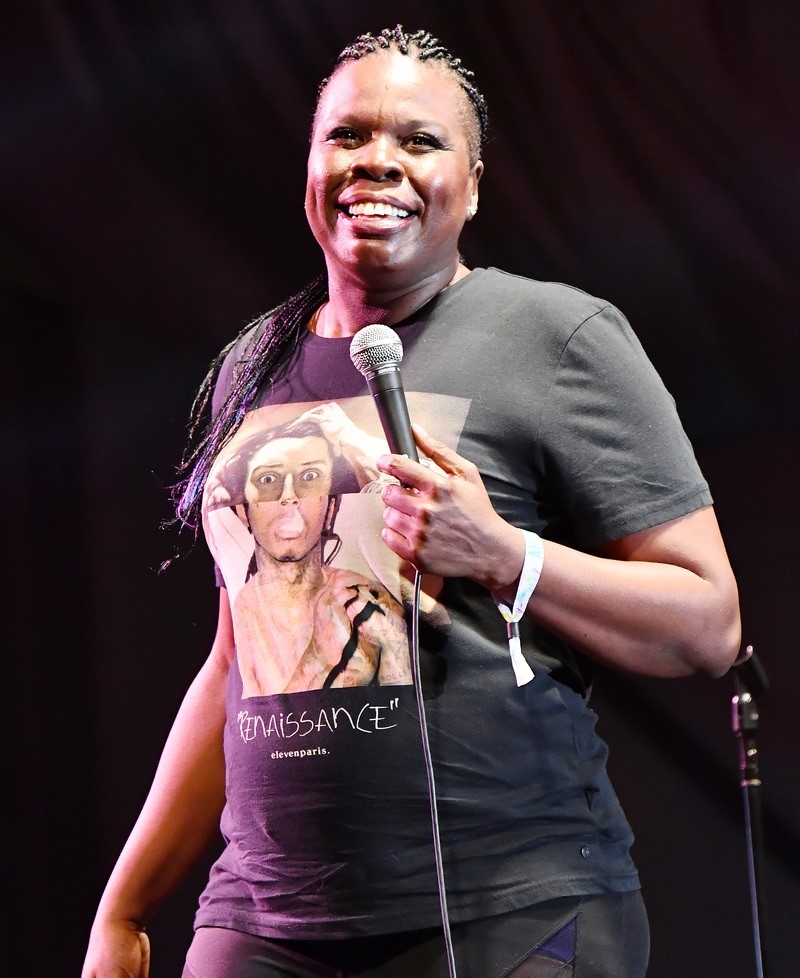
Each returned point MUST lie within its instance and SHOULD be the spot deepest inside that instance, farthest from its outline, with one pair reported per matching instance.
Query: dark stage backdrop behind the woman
(151, 183)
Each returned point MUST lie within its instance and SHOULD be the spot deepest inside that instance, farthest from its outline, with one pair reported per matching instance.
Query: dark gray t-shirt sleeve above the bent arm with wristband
(614, 442)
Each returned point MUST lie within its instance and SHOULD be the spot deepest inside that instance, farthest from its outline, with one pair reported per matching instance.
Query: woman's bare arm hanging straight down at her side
(178, 821)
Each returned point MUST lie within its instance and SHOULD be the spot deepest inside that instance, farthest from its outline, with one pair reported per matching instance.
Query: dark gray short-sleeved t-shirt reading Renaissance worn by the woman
(327, 822)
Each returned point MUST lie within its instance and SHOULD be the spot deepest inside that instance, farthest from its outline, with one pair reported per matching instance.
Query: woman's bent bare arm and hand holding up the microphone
(662, 602)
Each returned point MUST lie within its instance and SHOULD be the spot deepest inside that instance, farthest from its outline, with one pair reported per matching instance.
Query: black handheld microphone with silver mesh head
(376, 352)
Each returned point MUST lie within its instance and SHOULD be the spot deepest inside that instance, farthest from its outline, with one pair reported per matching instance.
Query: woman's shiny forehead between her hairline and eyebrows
(393, 84)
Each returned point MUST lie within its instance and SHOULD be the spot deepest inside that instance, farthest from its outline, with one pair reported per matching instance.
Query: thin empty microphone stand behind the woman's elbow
(751, 681)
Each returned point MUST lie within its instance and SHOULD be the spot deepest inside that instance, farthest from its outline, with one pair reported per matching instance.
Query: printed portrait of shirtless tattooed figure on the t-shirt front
(293, 517)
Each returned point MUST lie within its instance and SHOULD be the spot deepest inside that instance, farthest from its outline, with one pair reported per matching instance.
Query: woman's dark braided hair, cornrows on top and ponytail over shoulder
(276, 335)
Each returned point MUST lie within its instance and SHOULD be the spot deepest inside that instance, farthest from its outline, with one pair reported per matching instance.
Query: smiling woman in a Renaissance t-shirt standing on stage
(556, 487)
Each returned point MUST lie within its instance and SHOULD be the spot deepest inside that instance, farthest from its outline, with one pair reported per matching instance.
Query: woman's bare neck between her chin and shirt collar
(351, 306)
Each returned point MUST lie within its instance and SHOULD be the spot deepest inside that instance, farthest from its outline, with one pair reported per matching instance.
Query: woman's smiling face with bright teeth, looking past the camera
(390, 180)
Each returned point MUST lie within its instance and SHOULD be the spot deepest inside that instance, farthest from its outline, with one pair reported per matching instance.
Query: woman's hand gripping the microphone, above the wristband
(440, 518)
